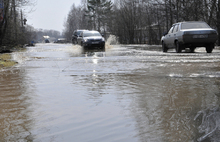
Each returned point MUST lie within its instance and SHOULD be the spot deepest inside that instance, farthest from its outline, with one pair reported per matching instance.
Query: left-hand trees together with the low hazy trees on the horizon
(14, 30)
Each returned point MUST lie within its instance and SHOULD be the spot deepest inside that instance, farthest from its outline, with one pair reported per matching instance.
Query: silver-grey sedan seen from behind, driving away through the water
(189, 35)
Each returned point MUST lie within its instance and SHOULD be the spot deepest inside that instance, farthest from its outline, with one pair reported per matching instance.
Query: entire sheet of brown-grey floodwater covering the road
(58, 92)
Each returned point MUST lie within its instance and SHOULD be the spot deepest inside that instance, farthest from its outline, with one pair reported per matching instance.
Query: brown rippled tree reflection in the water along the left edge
(15, 107)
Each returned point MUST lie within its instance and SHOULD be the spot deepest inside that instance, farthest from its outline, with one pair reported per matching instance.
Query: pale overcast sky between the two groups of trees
(50, 14)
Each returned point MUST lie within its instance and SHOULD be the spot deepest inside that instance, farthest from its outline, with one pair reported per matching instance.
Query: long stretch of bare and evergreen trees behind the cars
(139, 21)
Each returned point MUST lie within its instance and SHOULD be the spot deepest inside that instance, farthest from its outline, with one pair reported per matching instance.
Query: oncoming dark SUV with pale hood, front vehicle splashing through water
(91, 39)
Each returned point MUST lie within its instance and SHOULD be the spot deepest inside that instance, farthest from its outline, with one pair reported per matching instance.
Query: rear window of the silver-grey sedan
(194, 25)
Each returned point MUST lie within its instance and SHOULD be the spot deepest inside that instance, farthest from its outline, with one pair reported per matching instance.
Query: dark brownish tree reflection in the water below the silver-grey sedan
(165, 107)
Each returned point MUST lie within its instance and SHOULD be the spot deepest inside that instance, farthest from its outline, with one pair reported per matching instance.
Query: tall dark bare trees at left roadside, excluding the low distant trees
(13, 28)
